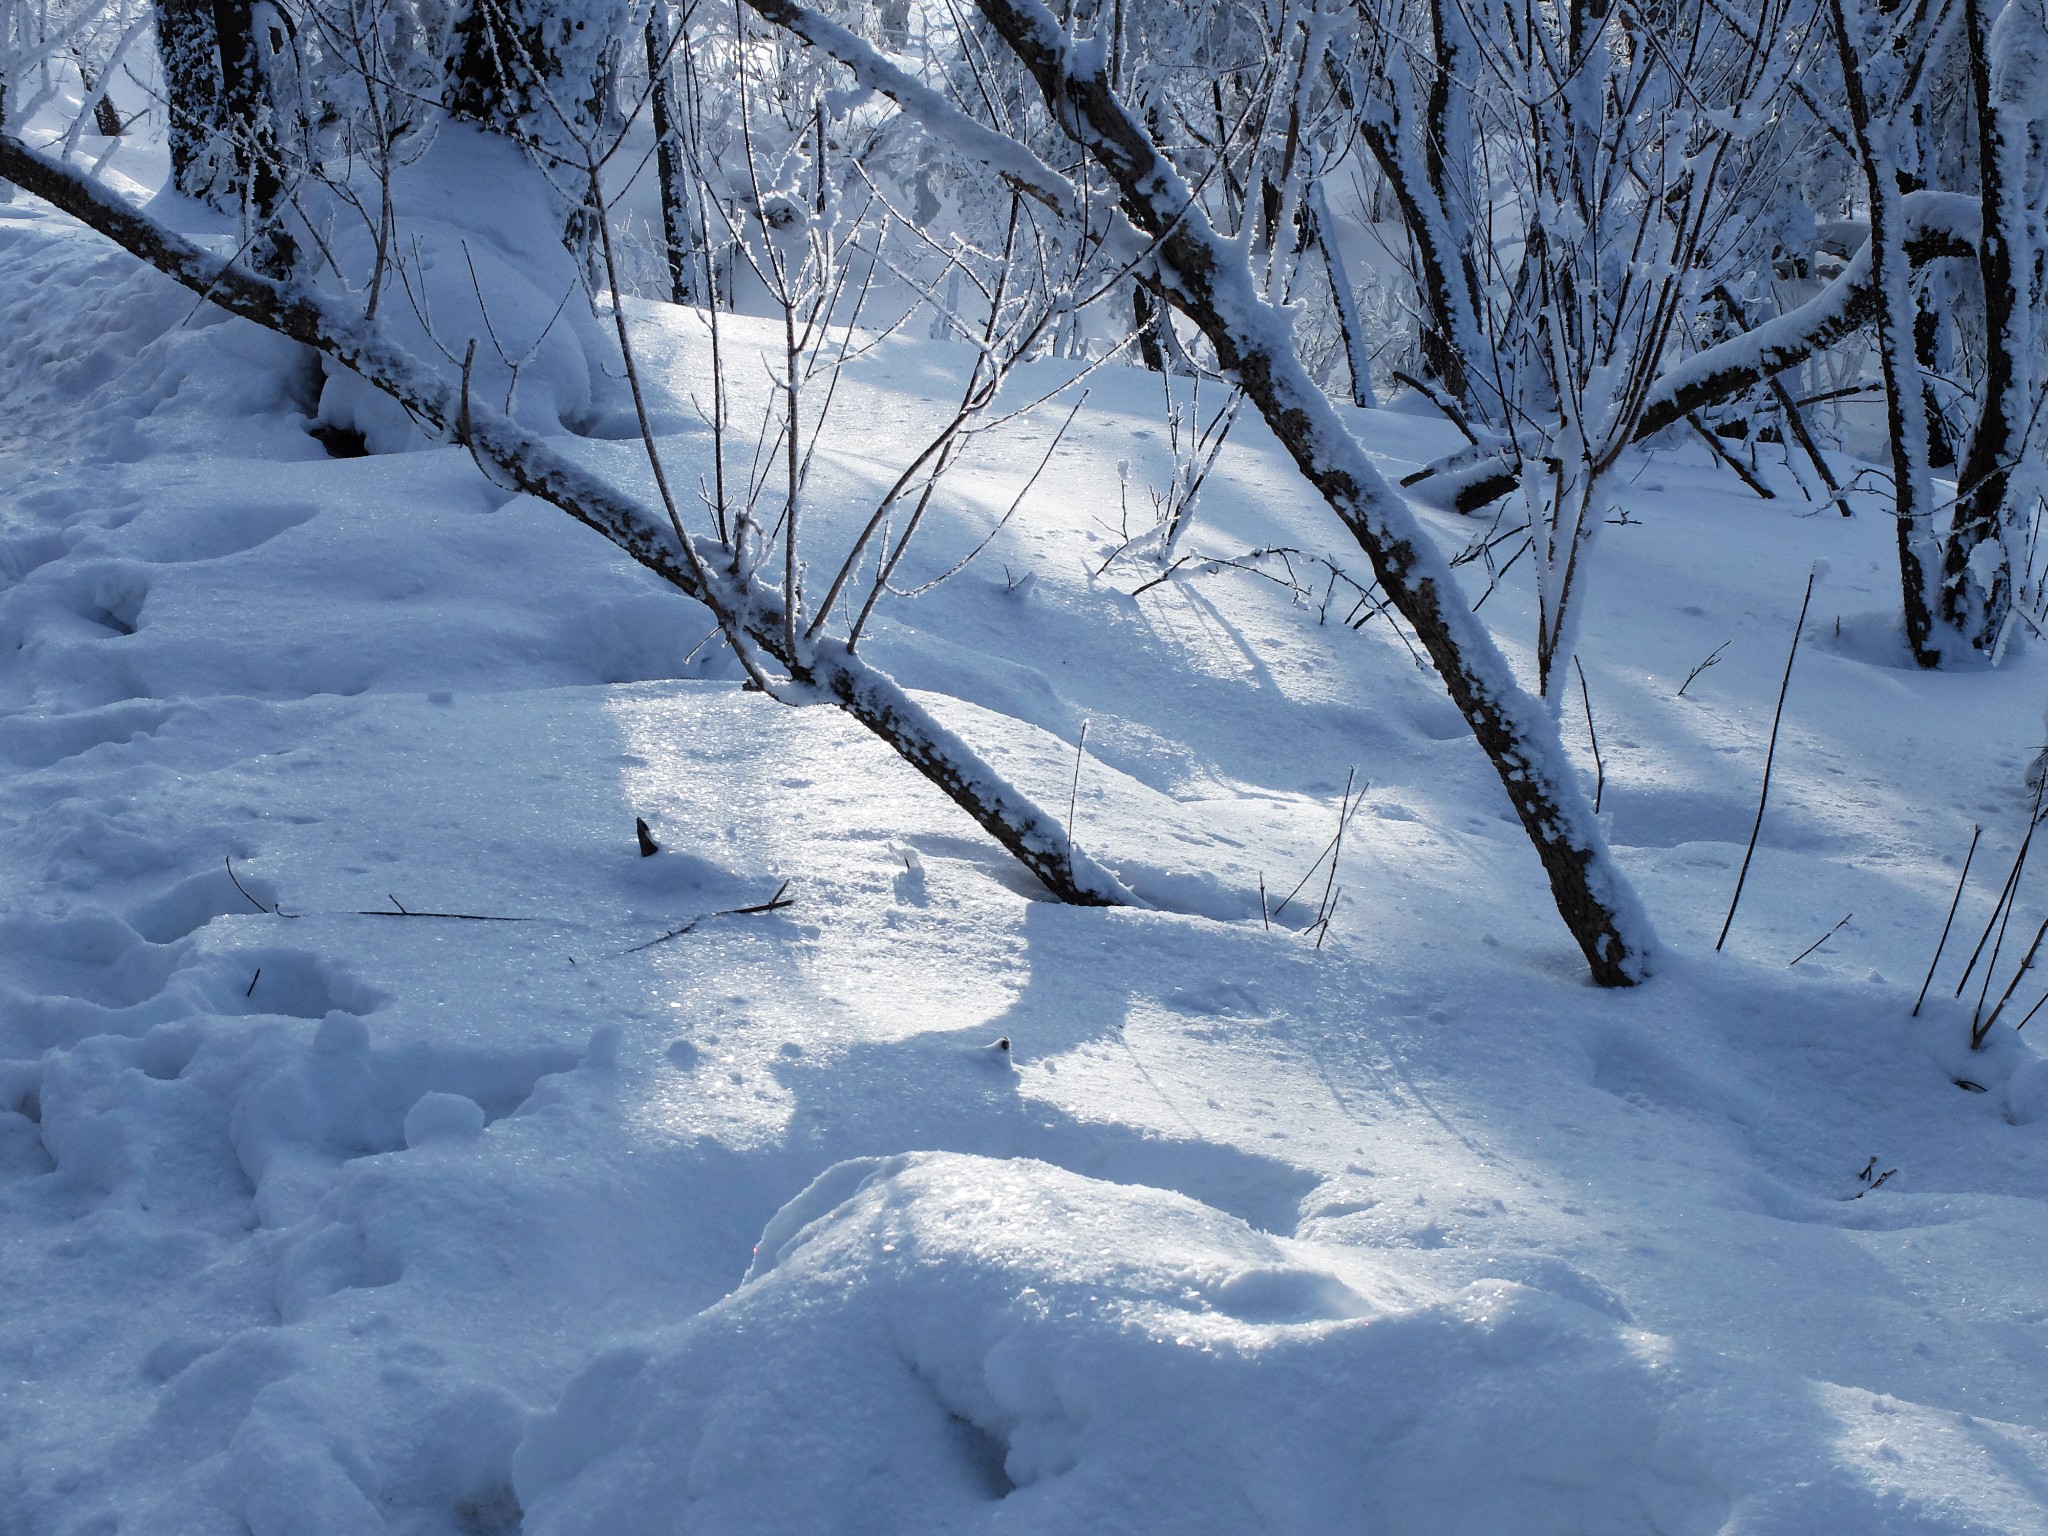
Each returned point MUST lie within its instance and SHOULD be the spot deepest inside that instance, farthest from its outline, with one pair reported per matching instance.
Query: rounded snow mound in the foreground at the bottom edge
(945, 1342)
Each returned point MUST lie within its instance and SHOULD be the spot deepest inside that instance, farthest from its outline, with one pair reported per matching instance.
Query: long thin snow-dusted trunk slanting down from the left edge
(538, 470)
